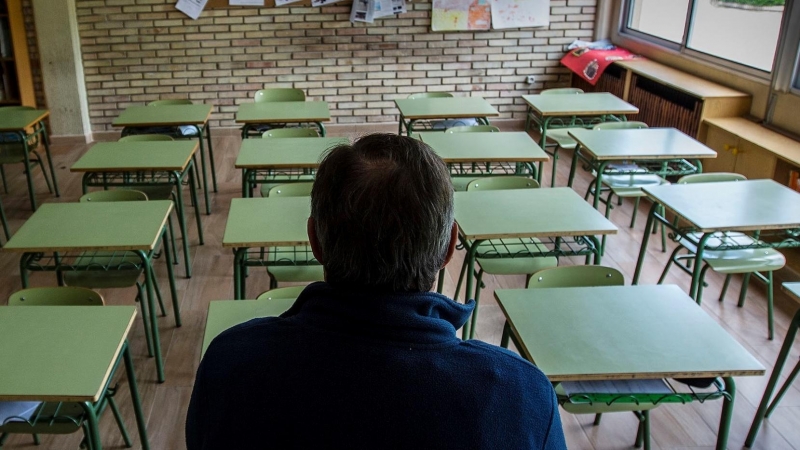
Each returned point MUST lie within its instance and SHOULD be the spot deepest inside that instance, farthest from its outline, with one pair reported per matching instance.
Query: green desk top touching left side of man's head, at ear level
(267, 222)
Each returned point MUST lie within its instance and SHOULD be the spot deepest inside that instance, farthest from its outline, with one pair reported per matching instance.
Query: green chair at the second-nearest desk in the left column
(109, 270)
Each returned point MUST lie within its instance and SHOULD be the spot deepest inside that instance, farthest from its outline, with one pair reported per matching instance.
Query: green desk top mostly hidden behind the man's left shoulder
(224, 314)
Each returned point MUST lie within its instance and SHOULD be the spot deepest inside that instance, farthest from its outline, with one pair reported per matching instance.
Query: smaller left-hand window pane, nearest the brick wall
(660, 18)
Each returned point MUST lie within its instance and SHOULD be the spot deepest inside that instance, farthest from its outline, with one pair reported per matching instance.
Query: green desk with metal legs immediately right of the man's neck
(564, 223)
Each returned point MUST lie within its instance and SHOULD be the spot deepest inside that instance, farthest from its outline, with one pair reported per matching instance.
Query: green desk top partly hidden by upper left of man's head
(283, 153)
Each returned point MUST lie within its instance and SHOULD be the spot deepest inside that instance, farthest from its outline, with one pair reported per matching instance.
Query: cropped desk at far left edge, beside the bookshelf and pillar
(19, 122)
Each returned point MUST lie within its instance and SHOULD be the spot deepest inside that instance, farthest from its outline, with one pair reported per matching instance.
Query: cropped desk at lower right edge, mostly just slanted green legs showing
(765, 408)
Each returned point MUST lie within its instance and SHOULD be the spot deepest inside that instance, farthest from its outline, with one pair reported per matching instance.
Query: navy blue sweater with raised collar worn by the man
(367, 371)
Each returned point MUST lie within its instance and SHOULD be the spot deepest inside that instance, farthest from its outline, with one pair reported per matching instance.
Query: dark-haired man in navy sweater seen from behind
(370, 359)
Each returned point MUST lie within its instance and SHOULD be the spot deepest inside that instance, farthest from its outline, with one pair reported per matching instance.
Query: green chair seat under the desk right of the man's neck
(511, 265)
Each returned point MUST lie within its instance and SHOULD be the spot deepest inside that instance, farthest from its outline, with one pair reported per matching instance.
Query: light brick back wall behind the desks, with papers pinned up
(136, 51)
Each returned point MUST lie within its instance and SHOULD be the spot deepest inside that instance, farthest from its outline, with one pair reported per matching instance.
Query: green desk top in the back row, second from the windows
(445, 108)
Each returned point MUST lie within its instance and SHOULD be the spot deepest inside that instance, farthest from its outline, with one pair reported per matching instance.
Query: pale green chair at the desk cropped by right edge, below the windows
(754, 261)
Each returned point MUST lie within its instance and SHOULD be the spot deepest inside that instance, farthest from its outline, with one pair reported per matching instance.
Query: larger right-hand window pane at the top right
(742, 31)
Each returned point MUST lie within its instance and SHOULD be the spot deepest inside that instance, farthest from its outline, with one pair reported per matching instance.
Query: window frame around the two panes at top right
(682, 48)
